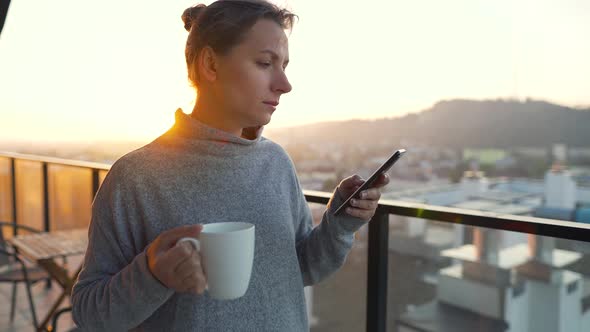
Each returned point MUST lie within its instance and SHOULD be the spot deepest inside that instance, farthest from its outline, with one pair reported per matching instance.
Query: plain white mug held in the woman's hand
(227, 254)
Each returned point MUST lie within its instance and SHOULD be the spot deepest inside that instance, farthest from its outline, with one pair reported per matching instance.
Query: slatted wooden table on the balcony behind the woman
(43, 248)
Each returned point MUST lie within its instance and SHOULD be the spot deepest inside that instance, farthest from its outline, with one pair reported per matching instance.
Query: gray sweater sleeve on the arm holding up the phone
(322, 250)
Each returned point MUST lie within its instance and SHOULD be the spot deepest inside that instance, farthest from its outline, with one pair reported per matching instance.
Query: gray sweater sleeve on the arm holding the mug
(115, 290)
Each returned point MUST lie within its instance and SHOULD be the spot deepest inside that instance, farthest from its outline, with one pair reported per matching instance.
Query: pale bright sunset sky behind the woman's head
(115, 70)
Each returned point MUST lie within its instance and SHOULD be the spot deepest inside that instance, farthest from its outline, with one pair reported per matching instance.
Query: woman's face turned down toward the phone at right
(251, 77)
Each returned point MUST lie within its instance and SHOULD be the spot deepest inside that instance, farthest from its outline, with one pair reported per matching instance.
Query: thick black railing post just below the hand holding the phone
(377, 259)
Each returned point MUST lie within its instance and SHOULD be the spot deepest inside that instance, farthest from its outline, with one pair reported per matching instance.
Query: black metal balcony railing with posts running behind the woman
(378, 245)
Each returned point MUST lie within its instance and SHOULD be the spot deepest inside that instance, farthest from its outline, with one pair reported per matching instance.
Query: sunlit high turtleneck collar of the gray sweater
(193, 129)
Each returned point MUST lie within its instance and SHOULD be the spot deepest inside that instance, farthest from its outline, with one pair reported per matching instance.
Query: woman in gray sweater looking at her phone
(214, 166)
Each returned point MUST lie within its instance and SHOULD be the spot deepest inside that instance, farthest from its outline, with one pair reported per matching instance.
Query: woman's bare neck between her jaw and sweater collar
(212, 115)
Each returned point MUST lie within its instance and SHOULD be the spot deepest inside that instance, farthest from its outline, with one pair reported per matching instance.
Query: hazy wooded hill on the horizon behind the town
(459, 124)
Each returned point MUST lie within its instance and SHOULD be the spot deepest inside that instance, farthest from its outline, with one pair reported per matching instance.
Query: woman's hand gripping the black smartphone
(365, 206)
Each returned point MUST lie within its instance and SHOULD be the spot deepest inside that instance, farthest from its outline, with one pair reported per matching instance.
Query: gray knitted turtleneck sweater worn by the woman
(195, 174)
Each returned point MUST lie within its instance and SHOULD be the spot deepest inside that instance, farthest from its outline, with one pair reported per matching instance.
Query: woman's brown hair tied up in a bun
(223, 24)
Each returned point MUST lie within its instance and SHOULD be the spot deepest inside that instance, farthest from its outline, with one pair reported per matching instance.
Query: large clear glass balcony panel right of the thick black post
(447, 277)
